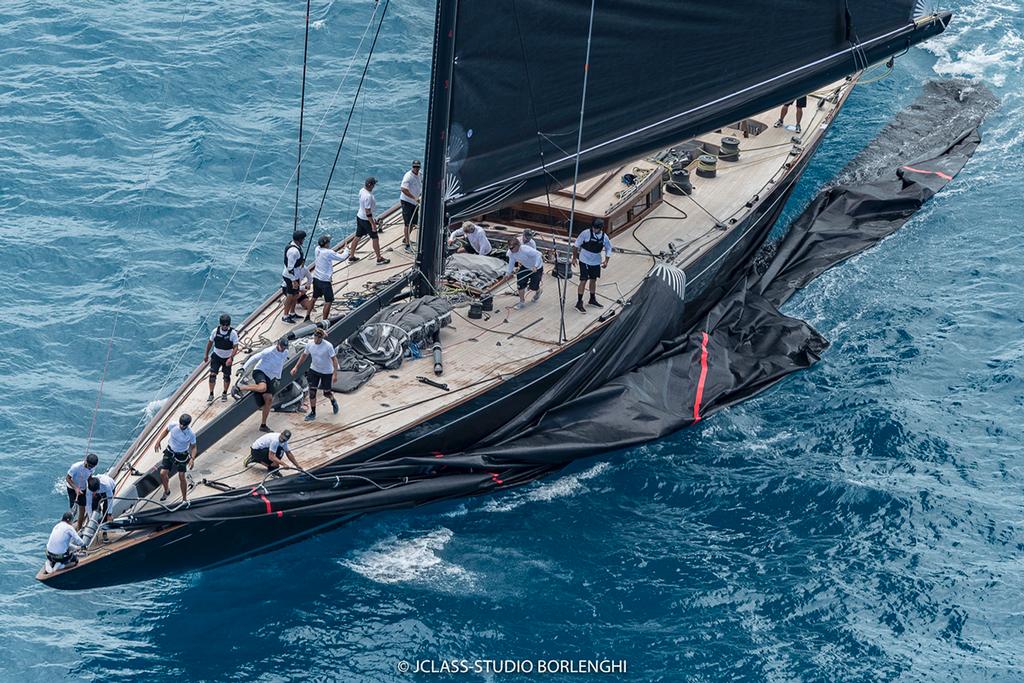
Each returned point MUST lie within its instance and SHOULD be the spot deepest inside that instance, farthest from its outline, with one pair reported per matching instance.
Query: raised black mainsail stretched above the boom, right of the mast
(660, 72)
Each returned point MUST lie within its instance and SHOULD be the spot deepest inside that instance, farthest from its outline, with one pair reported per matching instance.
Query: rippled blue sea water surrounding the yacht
(862, 522)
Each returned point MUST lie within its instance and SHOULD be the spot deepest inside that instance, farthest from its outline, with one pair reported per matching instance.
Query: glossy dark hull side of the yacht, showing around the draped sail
(195, 546)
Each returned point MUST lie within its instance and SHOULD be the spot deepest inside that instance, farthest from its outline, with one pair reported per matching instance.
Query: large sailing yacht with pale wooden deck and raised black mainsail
(657, 118)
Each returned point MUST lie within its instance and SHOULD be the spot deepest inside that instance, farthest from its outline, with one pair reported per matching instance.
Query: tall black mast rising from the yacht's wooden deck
(434, 218)
